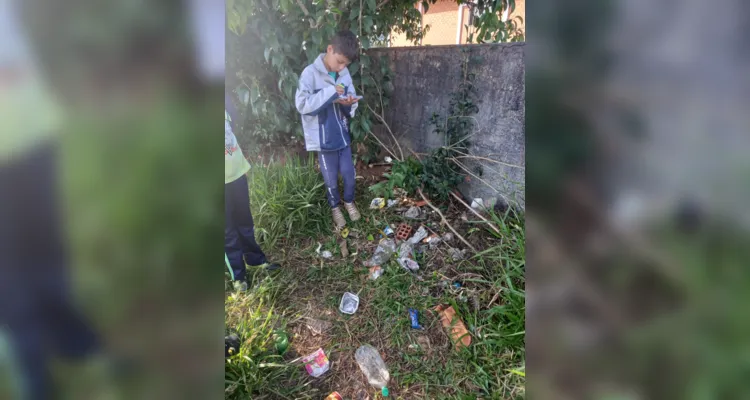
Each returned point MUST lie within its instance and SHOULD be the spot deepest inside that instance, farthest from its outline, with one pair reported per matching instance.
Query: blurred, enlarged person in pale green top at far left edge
(37, 317)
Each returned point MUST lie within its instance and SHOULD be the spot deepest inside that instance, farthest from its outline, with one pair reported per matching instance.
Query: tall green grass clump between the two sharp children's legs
(288, 200)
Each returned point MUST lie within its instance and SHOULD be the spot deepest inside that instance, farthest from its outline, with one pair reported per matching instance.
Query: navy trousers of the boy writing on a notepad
(333, 163)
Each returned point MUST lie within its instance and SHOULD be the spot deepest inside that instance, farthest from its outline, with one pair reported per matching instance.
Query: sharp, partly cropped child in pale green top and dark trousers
(239, 230)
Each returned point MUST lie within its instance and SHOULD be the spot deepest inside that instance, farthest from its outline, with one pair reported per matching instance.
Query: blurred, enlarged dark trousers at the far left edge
(35, 302)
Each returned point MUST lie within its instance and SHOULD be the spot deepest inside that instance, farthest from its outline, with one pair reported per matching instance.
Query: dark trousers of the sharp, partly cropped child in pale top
(239, 230)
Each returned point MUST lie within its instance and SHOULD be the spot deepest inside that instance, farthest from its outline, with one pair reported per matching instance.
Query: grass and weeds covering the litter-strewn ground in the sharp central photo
(423, 363)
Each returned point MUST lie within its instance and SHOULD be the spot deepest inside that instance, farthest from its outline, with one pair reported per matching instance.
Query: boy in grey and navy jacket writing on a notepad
(327, 100)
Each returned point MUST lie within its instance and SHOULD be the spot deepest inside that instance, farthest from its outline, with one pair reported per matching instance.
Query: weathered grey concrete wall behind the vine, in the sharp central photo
(425, 78)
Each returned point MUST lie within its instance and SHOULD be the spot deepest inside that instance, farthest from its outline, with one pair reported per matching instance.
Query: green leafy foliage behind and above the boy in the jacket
(272, 42)
